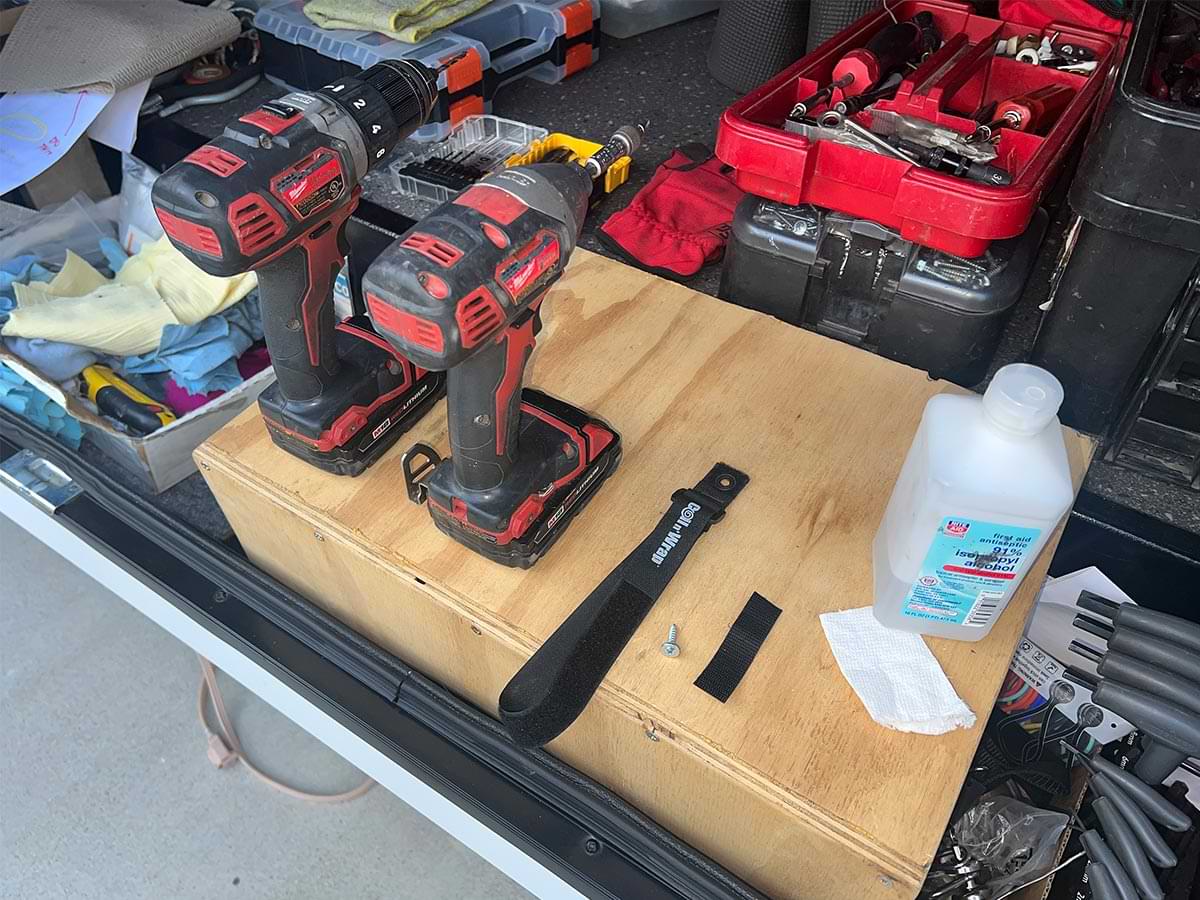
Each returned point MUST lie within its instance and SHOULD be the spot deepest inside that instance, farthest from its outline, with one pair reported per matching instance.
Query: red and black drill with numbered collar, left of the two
(273, 195)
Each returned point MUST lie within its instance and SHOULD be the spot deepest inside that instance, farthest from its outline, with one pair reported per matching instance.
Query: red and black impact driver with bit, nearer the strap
(461, 292)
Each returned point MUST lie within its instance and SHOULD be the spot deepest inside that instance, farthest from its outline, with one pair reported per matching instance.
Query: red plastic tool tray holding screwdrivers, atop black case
(950, 88)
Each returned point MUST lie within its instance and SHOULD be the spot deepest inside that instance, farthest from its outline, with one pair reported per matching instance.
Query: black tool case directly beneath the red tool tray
(862, 284)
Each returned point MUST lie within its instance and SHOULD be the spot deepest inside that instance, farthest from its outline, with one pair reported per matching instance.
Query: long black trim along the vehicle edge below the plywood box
(589, 836)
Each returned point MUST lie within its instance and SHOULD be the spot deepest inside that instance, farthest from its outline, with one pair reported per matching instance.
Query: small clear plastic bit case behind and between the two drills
(501, 139)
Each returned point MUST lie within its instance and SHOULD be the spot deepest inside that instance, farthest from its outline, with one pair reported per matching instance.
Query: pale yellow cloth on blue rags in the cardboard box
(123, 317)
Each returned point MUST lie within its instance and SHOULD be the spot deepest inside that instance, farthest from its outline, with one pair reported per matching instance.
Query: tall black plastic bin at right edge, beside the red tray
(1136, 248)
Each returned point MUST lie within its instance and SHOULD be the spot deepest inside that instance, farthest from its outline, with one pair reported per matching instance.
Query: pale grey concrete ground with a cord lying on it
(106, 790)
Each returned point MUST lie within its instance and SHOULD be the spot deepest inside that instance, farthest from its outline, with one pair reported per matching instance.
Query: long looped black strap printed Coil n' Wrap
(550, 692)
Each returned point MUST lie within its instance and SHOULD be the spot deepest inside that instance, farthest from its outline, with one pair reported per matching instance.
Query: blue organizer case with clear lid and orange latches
(544, 40)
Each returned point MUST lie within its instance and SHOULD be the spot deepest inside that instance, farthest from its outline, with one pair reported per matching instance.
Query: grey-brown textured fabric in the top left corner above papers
(63, 45)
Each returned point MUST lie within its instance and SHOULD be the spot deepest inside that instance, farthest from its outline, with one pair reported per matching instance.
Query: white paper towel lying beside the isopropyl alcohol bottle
(895, 675)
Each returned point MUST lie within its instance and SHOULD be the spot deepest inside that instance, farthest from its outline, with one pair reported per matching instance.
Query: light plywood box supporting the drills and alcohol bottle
(789, 784)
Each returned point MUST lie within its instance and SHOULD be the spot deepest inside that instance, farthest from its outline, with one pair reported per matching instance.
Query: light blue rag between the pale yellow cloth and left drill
(203, 358)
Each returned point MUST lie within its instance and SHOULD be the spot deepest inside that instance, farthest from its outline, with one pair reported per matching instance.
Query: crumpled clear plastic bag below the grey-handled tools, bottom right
(1016, 841)
